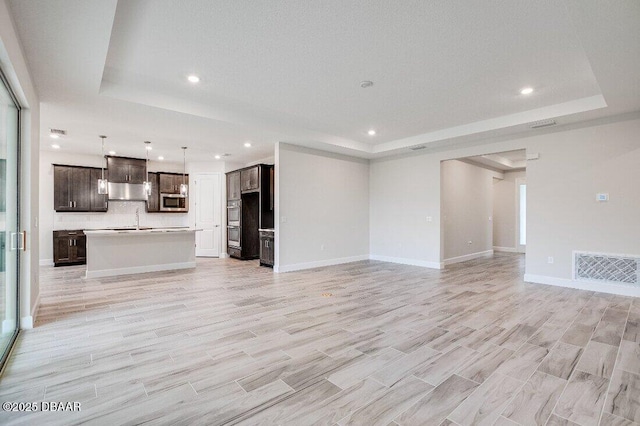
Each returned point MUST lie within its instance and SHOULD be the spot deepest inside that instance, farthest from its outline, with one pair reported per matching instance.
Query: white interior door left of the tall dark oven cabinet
(208, 214)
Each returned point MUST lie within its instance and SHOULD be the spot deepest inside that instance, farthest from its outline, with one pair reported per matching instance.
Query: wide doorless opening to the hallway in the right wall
(483, 206)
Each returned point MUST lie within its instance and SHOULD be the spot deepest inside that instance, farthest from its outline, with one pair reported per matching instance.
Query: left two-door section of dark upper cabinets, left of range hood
(72, 188)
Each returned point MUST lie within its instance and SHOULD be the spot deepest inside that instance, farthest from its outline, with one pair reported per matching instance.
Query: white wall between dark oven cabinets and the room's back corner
(322, 206)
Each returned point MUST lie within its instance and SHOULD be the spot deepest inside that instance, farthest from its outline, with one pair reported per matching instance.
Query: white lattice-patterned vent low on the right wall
(607, 267)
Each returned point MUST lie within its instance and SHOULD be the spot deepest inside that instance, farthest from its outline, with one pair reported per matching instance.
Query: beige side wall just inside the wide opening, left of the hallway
(467, 206)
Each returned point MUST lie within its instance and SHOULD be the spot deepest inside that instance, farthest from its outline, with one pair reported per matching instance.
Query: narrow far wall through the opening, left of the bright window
(505, 199)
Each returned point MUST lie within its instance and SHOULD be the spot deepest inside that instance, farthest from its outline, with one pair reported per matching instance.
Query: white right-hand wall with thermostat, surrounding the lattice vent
(562, 212)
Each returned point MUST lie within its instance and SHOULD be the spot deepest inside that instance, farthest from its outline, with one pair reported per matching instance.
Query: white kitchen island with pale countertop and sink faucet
(132, 251)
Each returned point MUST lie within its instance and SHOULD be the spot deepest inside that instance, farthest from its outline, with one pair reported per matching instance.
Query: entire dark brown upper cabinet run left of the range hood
(75, 189)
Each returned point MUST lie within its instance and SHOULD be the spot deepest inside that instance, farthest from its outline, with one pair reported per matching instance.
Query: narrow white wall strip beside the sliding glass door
(14, 66)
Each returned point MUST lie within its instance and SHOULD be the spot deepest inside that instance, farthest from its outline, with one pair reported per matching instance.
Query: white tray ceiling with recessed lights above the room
(443, 73)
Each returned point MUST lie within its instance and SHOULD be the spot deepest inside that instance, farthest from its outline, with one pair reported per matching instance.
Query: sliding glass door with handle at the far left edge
(11, 241)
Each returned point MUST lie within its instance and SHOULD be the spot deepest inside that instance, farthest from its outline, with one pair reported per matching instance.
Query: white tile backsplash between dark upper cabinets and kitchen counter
(120, 214)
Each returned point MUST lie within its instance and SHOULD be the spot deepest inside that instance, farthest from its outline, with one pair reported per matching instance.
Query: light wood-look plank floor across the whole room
(367, 343)
